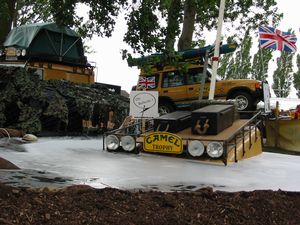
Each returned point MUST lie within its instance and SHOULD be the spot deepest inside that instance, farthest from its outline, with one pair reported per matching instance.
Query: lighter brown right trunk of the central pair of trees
(185, 40)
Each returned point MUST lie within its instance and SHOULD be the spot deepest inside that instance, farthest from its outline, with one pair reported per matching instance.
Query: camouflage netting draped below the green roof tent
(36, 106)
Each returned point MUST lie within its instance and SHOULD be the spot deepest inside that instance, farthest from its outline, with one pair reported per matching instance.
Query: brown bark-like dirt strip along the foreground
(85, 205)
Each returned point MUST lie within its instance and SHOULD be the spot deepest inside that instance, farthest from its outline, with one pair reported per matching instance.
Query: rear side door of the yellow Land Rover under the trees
(174, 85)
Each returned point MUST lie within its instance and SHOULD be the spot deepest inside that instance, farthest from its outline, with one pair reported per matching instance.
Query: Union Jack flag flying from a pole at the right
(272, 38)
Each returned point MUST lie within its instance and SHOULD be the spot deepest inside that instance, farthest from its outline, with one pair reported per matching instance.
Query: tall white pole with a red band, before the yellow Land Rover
(215, 58)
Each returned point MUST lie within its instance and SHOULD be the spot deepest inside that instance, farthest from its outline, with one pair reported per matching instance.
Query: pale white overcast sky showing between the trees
(113, 70)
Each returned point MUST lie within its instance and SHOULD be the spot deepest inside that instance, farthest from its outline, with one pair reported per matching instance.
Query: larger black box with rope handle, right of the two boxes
(217, 117)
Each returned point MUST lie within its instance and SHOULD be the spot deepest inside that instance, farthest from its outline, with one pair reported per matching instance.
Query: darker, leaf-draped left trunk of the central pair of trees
(173, 24)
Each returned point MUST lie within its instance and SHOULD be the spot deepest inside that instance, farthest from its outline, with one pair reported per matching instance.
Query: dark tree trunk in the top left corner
(6, 19)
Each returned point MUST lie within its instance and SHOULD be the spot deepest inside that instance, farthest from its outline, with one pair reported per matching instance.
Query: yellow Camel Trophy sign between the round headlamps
(163, 142)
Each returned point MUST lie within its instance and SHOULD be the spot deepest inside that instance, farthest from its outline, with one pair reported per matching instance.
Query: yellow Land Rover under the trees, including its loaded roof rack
(179, 88)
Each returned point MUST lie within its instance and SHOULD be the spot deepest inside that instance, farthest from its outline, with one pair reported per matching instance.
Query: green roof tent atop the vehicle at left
(47, 41)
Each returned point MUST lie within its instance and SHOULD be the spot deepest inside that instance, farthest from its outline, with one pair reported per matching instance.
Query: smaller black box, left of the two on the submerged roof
(173, 122)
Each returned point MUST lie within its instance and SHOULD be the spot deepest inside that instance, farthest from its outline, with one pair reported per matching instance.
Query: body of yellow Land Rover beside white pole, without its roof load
(177, 90)
